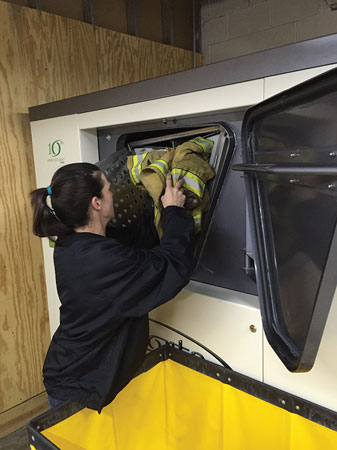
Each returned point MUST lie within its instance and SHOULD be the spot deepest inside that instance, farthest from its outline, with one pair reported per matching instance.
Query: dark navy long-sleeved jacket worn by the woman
(106, 290)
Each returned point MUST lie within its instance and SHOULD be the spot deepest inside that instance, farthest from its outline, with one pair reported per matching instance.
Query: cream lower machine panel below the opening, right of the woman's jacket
(231, 330)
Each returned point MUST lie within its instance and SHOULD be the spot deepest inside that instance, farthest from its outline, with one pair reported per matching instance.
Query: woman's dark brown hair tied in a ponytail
(70, 192)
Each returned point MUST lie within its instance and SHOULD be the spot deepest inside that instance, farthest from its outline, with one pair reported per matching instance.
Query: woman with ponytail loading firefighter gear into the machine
(106, 289)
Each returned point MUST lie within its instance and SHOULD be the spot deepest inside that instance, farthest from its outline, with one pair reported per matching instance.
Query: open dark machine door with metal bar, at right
(290, 166)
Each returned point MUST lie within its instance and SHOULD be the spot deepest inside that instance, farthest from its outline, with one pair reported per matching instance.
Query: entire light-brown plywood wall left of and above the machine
(44, 57)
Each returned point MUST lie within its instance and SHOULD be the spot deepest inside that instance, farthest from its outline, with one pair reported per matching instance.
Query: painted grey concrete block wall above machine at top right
(232, 28)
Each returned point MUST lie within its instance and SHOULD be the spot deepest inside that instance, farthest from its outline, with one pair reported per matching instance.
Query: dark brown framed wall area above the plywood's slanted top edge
(148, 18)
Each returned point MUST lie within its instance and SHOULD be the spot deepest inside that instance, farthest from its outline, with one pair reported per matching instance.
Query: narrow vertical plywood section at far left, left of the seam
(23, 312)
